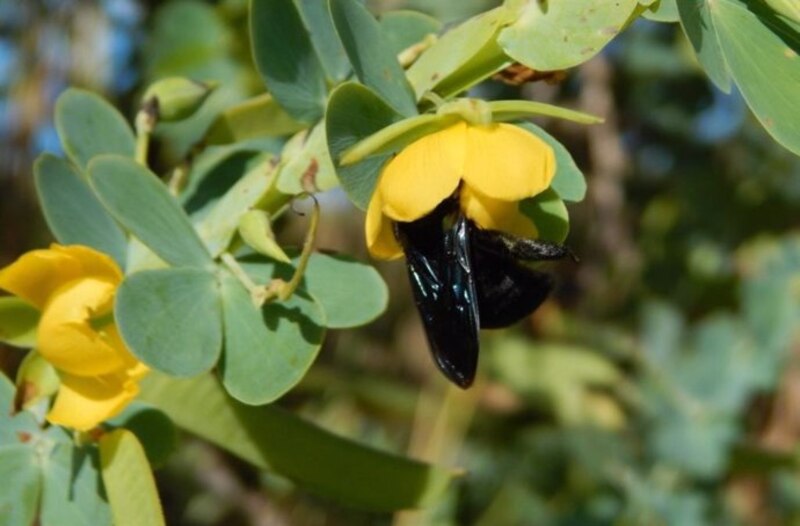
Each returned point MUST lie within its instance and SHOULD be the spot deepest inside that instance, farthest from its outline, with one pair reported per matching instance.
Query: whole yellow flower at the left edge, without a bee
(73, 287)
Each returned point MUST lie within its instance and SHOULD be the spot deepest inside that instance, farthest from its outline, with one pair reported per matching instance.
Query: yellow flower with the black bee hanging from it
(495, 166)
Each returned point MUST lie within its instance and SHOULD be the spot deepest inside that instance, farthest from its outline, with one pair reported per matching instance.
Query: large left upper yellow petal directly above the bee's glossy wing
(424, 174)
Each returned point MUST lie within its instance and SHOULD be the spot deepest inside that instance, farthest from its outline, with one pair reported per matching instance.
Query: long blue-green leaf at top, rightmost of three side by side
(371, 56)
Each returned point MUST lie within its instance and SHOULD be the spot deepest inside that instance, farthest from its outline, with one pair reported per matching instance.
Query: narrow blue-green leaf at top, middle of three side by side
(317, 18)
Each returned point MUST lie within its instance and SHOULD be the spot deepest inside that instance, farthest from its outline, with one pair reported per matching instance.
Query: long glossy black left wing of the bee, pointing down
(440, 271)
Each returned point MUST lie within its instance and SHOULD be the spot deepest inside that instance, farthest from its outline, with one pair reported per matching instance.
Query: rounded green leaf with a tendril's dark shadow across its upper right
(267, 350)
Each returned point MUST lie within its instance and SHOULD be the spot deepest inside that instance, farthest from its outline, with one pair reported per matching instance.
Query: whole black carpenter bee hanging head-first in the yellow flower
(466, 278)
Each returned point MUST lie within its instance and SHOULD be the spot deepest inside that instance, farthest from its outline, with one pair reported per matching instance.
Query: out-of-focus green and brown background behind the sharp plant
(659, 385)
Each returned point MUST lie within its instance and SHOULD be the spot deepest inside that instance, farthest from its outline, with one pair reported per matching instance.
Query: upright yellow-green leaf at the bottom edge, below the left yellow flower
(129, 482)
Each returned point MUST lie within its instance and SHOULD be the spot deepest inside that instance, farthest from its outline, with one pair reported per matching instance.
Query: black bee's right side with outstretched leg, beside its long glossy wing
(507, 290)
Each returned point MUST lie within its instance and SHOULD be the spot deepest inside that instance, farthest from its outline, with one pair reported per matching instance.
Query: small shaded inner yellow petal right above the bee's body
(494, 214)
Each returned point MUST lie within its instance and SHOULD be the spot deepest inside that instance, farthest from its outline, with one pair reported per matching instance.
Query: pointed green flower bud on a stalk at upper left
(176, 98)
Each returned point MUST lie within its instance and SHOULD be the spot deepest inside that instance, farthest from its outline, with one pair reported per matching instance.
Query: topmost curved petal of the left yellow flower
(37, 274)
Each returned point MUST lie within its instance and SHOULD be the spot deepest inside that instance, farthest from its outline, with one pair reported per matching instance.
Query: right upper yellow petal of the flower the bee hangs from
(508, 163)
